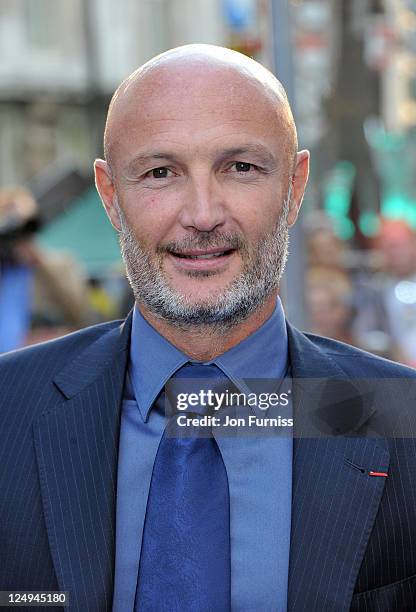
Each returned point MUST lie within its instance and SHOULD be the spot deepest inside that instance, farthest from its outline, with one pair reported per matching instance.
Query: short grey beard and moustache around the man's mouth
(259, 278)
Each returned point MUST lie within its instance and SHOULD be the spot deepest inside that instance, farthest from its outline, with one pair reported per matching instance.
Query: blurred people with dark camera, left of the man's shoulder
(45, 294)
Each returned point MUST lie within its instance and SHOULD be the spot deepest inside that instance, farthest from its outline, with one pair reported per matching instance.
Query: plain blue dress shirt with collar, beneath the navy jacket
(259, 469)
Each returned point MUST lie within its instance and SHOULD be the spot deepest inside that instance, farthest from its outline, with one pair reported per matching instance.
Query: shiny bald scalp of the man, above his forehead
(207, 69)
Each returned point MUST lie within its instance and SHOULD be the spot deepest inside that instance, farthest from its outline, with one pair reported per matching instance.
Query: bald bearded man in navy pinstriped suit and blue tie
(202, 179)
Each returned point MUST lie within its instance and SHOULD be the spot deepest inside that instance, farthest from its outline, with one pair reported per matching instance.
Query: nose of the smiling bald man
(203, 206)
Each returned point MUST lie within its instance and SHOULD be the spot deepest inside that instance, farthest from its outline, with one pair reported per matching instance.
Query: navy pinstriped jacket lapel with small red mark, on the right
(335, 501)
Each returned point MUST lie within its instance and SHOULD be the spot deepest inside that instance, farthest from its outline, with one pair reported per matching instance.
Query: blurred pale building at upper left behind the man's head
(62, 60)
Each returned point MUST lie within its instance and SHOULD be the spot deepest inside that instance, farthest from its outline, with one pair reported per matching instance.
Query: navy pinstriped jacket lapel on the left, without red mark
(76, 441)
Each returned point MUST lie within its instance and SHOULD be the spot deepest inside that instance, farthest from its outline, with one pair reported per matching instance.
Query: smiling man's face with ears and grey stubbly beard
(202, 193)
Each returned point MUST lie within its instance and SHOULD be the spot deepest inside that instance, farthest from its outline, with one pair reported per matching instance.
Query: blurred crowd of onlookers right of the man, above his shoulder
(364, 298)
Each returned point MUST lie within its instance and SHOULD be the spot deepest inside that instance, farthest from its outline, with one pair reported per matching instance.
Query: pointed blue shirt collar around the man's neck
(153, 359)
